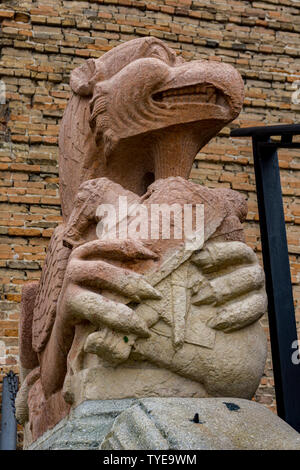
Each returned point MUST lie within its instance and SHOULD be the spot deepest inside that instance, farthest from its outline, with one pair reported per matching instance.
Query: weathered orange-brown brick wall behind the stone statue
(43, 40)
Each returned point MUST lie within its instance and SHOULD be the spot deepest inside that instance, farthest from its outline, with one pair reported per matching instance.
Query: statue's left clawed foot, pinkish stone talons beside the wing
(113, 318)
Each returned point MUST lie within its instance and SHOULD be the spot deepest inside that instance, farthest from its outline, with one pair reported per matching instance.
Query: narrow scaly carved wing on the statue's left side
(49, 289)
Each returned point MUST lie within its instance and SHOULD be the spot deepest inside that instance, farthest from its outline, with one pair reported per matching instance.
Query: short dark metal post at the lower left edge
(8, 437)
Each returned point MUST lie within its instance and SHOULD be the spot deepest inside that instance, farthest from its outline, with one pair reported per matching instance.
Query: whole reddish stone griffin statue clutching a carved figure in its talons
(128, 317)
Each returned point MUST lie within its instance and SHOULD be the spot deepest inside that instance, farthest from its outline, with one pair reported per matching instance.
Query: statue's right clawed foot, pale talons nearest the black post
(240, 292)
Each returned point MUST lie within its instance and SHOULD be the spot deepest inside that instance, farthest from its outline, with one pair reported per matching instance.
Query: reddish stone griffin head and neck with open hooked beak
(140, 113)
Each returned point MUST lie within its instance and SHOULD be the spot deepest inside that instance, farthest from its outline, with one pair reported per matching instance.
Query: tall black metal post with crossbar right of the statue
(283, 331)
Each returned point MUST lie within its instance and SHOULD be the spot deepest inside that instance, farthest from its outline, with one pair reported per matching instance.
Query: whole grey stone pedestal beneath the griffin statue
(170, 423)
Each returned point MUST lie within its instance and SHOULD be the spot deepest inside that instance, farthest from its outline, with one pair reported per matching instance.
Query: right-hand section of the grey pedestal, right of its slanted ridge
(200, 424)
